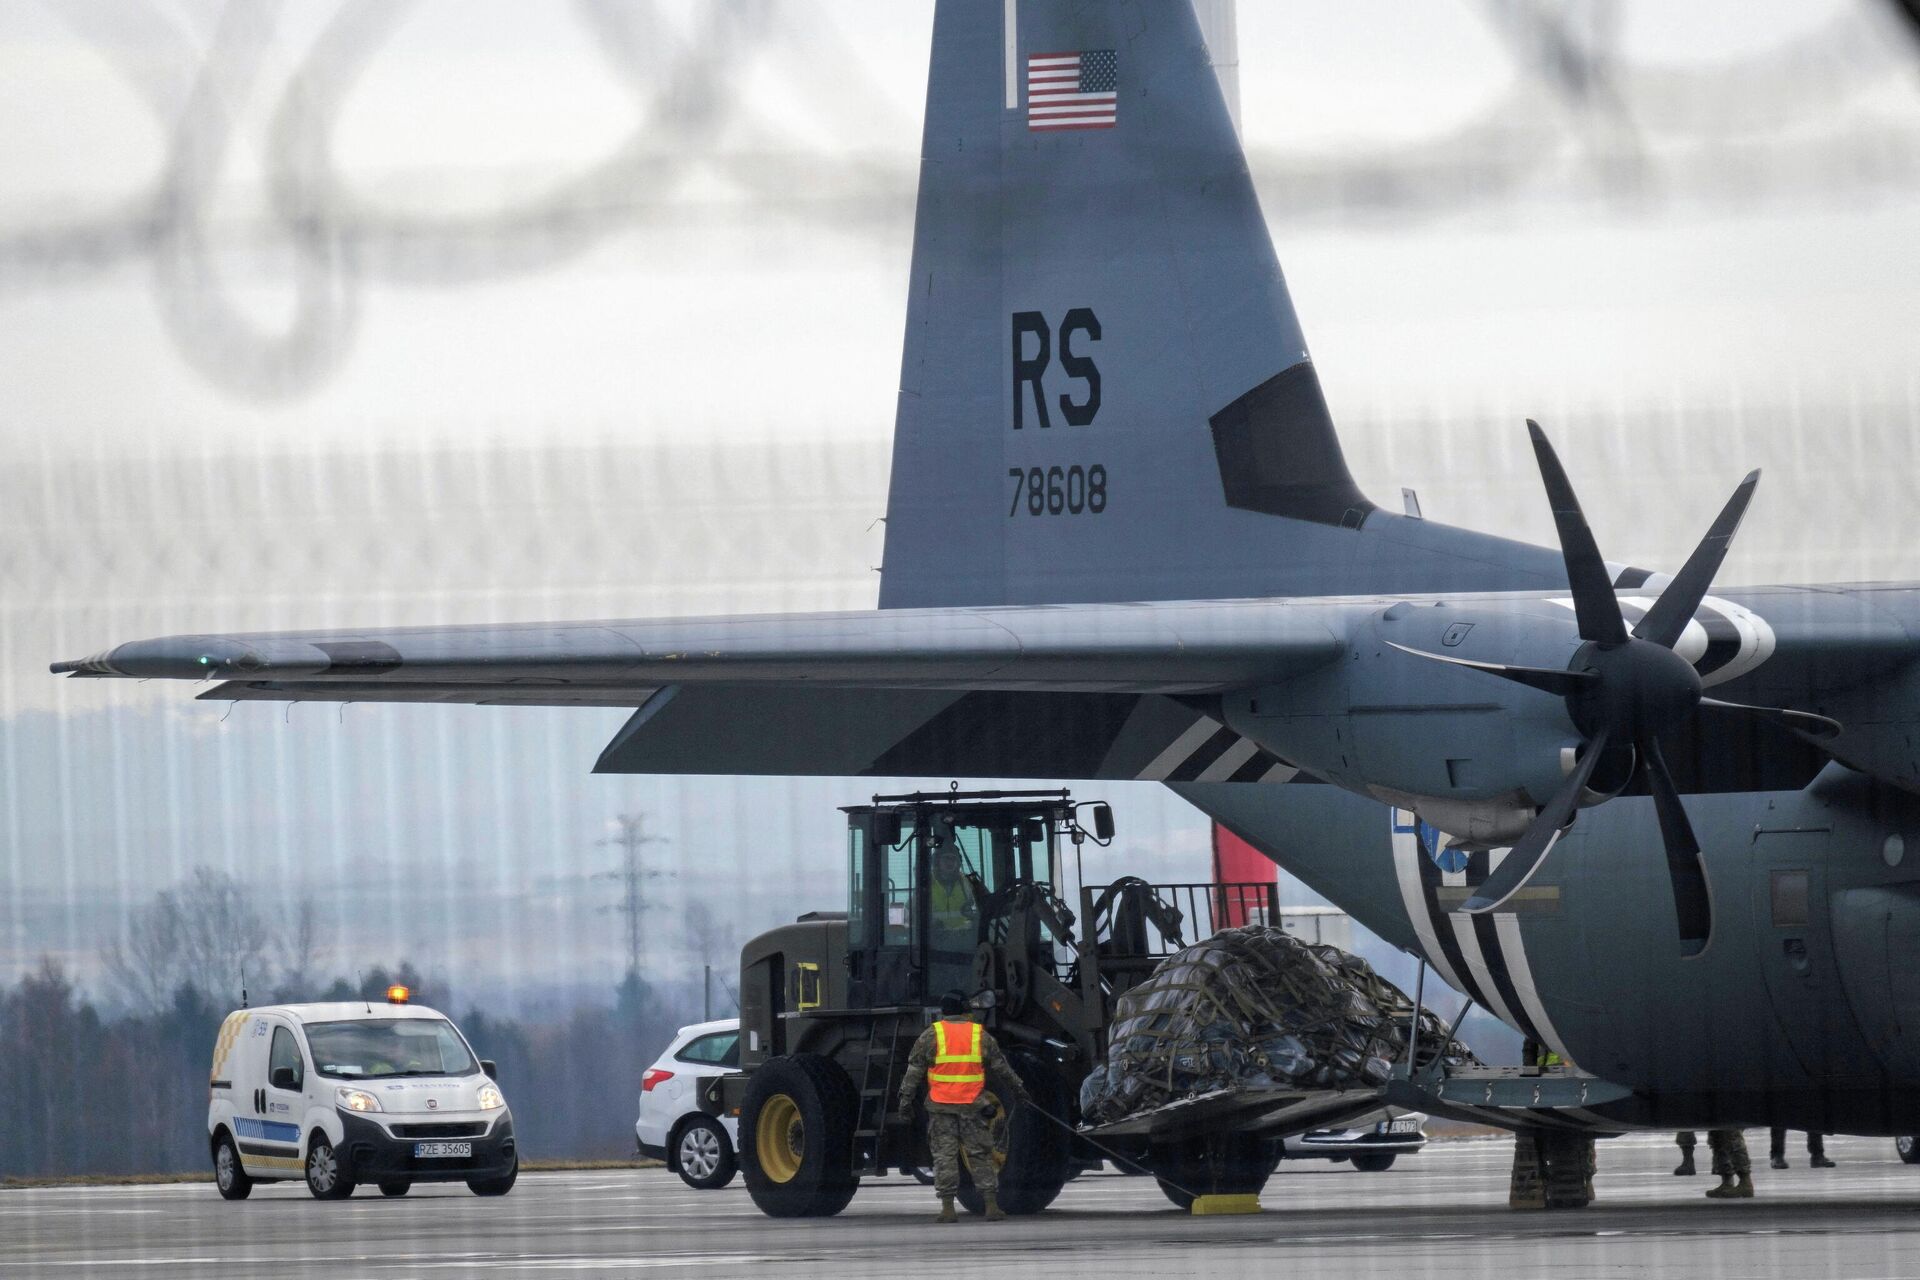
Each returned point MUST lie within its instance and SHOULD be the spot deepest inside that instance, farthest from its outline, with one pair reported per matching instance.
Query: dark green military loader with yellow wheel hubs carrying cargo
(832, 1003)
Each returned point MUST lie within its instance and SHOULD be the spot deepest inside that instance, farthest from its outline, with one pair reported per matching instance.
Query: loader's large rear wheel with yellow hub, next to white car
(796, 1137)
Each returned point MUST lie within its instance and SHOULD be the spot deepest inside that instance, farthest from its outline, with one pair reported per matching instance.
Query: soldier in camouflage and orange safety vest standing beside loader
(955, 1058)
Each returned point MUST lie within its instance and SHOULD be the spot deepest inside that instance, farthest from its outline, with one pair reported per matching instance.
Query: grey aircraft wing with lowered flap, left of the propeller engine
(1072, 692)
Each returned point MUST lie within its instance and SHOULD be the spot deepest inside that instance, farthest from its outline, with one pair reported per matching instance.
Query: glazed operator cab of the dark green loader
(932, 880)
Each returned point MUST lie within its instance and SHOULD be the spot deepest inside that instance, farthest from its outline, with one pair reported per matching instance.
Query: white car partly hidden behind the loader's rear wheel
(671, 1126)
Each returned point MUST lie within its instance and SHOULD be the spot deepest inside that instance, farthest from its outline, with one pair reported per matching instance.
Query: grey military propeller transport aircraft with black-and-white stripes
(1124, 544)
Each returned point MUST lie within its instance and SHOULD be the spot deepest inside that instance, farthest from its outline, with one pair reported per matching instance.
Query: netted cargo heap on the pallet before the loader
(1257, 1008)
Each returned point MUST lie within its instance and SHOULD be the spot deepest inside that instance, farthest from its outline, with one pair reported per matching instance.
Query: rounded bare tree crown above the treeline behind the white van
(203, 934)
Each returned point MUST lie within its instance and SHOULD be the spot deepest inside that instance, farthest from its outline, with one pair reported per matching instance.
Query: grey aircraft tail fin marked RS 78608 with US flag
(1105, 392)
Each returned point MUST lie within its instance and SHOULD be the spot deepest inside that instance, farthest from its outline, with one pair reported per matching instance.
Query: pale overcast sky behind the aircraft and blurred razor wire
(475, 312)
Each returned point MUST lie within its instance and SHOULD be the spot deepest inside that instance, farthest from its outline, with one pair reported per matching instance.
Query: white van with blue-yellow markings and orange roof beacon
(354, 1093)
